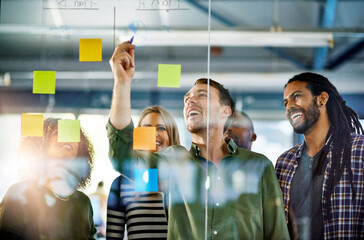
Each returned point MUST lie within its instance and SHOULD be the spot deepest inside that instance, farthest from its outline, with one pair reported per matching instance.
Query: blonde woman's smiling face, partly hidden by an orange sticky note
(155, 120)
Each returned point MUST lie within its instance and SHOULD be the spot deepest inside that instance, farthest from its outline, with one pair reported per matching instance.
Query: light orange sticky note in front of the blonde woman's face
(144, 138)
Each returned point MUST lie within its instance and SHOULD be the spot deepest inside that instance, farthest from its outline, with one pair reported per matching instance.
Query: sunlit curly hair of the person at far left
(36, 148)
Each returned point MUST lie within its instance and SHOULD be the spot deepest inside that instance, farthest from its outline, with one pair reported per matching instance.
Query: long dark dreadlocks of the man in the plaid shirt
(343, 122)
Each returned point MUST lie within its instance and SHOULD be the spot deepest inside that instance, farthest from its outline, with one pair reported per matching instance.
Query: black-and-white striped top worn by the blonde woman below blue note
(143, 213)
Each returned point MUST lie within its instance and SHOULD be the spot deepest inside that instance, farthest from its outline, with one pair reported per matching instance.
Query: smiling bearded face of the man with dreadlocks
(302, 109)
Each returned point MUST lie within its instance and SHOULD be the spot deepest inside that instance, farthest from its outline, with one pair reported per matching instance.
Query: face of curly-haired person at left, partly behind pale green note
(61, 150)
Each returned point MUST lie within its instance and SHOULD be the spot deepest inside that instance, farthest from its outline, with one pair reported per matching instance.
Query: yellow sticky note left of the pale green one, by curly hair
(32, 125)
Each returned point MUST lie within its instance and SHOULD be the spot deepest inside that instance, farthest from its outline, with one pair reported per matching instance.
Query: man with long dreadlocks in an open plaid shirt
(322, 178)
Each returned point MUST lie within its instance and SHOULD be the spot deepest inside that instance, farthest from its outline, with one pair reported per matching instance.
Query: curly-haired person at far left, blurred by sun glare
(47, 205)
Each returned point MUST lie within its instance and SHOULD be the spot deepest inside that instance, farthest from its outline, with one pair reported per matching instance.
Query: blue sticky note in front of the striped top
(146, 180)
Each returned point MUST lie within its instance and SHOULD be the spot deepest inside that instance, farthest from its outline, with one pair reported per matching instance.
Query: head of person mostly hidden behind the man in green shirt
(241, 130)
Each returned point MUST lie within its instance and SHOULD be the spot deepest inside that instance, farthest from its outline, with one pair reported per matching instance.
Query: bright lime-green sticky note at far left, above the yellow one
(44, 82)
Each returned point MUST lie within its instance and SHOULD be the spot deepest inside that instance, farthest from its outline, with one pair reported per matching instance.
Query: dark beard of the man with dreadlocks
(311, 116)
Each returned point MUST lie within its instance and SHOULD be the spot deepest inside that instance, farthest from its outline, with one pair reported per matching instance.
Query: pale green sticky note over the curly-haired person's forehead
(69, 130)
